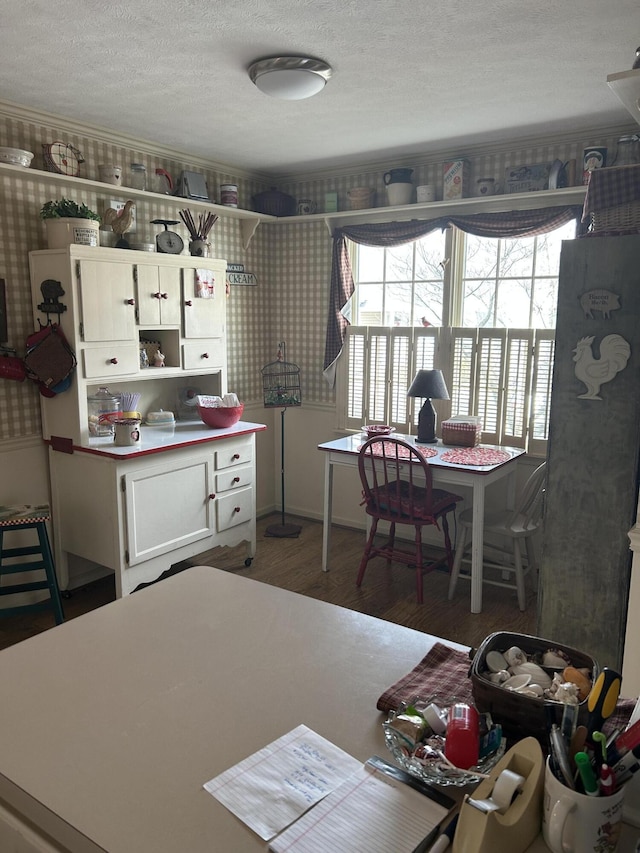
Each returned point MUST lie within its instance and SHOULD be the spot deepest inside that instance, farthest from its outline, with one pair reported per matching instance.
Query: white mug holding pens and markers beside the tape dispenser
(576, 823)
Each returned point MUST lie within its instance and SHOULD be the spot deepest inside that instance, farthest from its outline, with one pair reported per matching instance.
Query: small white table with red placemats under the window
(344, 452)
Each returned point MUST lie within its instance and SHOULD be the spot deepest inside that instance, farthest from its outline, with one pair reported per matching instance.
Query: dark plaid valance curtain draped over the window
(515, 223)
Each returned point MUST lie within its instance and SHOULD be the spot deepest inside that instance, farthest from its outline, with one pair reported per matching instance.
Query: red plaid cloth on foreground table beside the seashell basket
(443, 670)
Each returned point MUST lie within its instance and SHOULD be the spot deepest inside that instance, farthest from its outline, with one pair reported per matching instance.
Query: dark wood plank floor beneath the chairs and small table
(295, 564)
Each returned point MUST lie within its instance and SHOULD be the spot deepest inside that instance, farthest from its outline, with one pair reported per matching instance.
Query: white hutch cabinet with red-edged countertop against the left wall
(138, 510)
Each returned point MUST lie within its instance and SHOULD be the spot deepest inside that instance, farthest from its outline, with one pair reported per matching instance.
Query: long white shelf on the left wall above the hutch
(249, 219)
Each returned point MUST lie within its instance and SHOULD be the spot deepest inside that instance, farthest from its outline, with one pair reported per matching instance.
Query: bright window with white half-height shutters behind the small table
(480, 309)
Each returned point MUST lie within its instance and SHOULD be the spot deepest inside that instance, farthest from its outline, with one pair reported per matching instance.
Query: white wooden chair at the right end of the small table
(515, 526)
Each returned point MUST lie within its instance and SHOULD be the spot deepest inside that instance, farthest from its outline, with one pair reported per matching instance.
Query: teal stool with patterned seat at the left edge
(28, 518)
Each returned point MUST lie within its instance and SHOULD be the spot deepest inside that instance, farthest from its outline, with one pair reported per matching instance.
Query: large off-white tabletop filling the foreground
(112, 722)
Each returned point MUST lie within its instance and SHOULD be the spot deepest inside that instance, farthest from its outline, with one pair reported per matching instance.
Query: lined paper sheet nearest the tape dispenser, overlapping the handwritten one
(370, 811)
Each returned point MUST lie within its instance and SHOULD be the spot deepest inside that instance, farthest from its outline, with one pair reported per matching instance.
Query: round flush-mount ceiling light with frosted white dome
(290, 78)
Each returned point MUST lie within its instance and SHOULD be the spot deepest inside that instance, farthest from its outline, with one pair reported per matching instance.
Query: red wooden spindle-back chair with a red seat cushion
(396, 484)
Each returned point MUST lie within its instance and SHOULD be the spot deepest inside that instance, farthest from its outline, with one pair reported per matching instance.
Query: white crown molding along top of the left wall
(110, 137)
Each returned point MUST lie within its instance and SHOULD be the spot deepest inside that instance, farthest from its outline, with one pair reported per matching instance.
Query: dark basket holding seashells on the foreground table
(522, 716)
